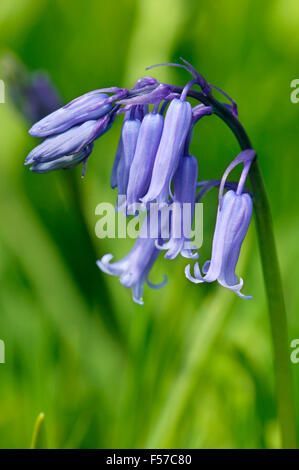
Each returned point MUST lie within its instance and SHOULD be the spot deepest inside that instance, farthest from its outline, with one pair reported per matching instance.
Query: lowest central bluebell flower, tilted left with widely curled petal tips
(134, 268)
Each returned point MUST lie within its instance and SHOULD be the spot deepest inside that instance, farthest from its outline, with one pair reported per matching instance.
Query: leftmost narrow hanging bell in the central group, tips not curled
(129, 135)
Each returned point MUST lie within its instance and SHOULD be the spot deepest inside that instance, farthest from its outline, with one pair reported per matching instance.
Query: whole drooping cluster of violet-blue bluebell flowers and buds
(153, 163)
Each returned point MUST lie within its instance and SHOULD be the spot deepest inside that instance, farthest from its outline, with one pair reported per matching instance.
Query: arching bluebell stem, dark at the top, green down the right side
(272, 278)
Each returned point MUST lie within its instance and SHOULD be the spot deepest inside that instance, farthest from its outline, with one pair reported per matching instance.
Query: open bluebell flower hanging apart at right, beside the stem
(232, 223)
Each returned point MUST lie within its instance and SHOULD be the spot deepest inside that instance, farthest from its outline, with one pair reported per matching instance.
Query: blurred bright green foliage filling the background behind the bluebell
(193, 367)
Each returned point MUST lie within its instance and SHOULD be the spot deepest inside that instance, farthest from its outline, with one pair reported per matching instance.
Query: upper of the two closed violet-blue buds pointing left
(85, 108)
